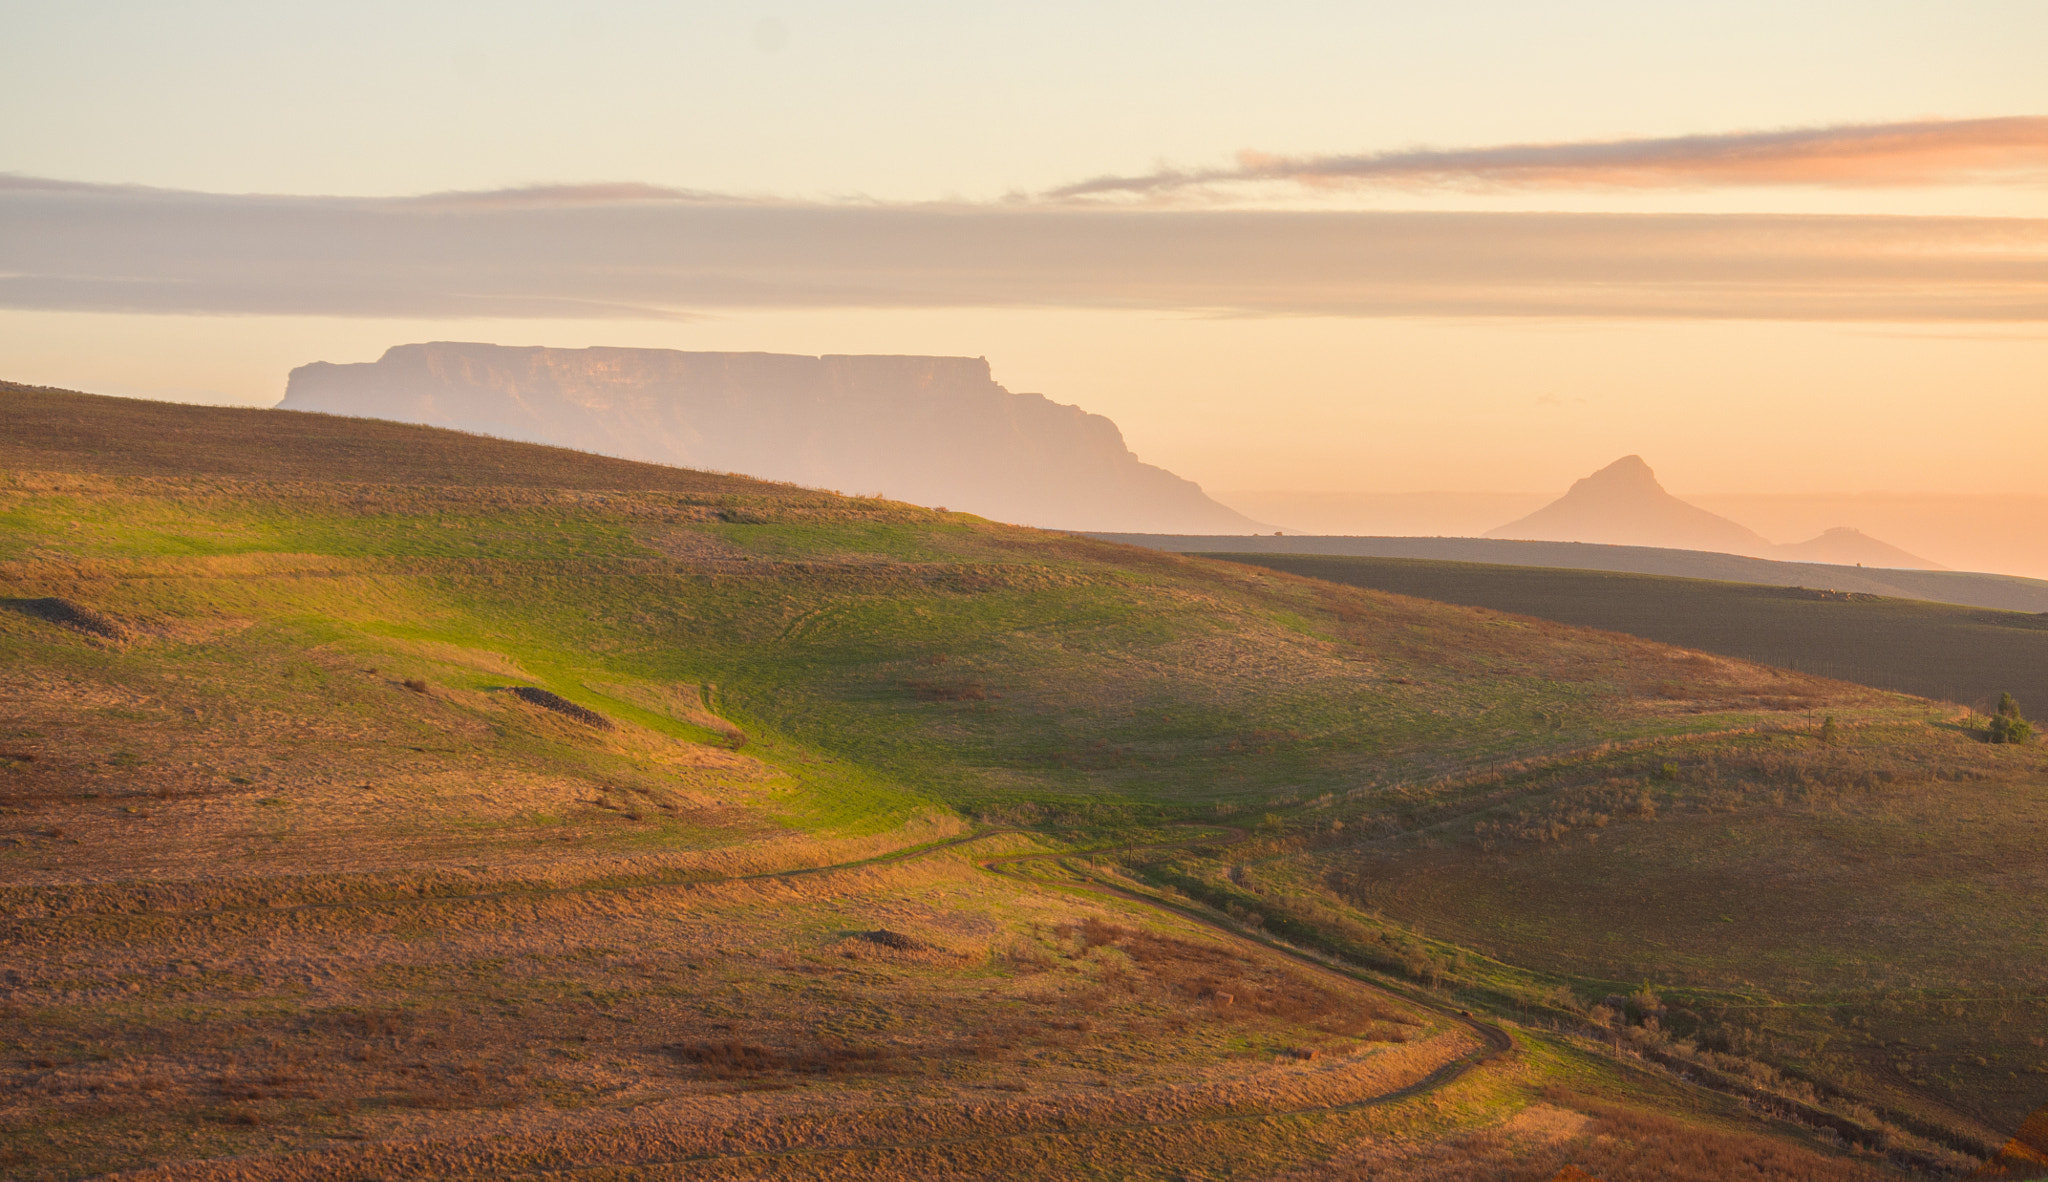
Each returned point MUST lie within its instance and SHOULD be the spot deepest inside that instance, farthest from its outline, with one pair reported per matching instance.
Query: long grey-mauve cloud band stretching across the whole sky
(644, 253)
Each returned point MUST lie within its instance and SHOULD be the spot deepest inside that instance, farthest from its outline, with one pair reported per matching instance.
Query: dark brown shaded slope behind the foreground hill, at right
(1922, 648)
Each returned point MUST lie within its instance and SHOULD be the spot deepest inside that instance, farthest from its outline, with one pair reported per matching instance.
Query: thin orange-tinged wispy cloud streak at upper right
(1869, 155)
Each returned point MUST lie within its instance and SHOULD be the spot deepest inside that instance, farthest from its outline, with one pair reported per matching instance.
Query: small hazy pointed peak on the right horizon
(1623, 505)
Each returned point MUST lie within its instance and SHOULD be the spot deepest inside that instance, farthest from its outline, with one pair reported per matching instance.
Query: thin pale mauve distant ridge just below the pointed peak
(1969, 589)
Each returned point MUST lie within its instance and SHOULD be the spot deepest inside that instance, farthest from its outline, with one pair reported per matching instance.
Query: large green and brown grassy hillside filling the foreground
(388, 802)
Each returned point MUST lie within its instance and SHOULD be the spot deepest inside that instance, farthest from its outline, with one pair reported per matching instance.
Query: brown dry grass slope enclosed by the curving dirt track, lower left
(656, 1025)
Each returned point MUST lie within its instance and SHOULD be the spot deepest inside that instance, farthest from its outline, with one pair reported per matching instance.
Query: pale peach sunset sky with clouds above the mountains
(1775, 249)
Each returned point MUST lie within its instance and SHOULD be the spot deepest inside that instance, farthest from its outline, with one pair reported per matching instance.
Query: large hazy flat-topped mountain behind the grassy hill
(923, 429)
